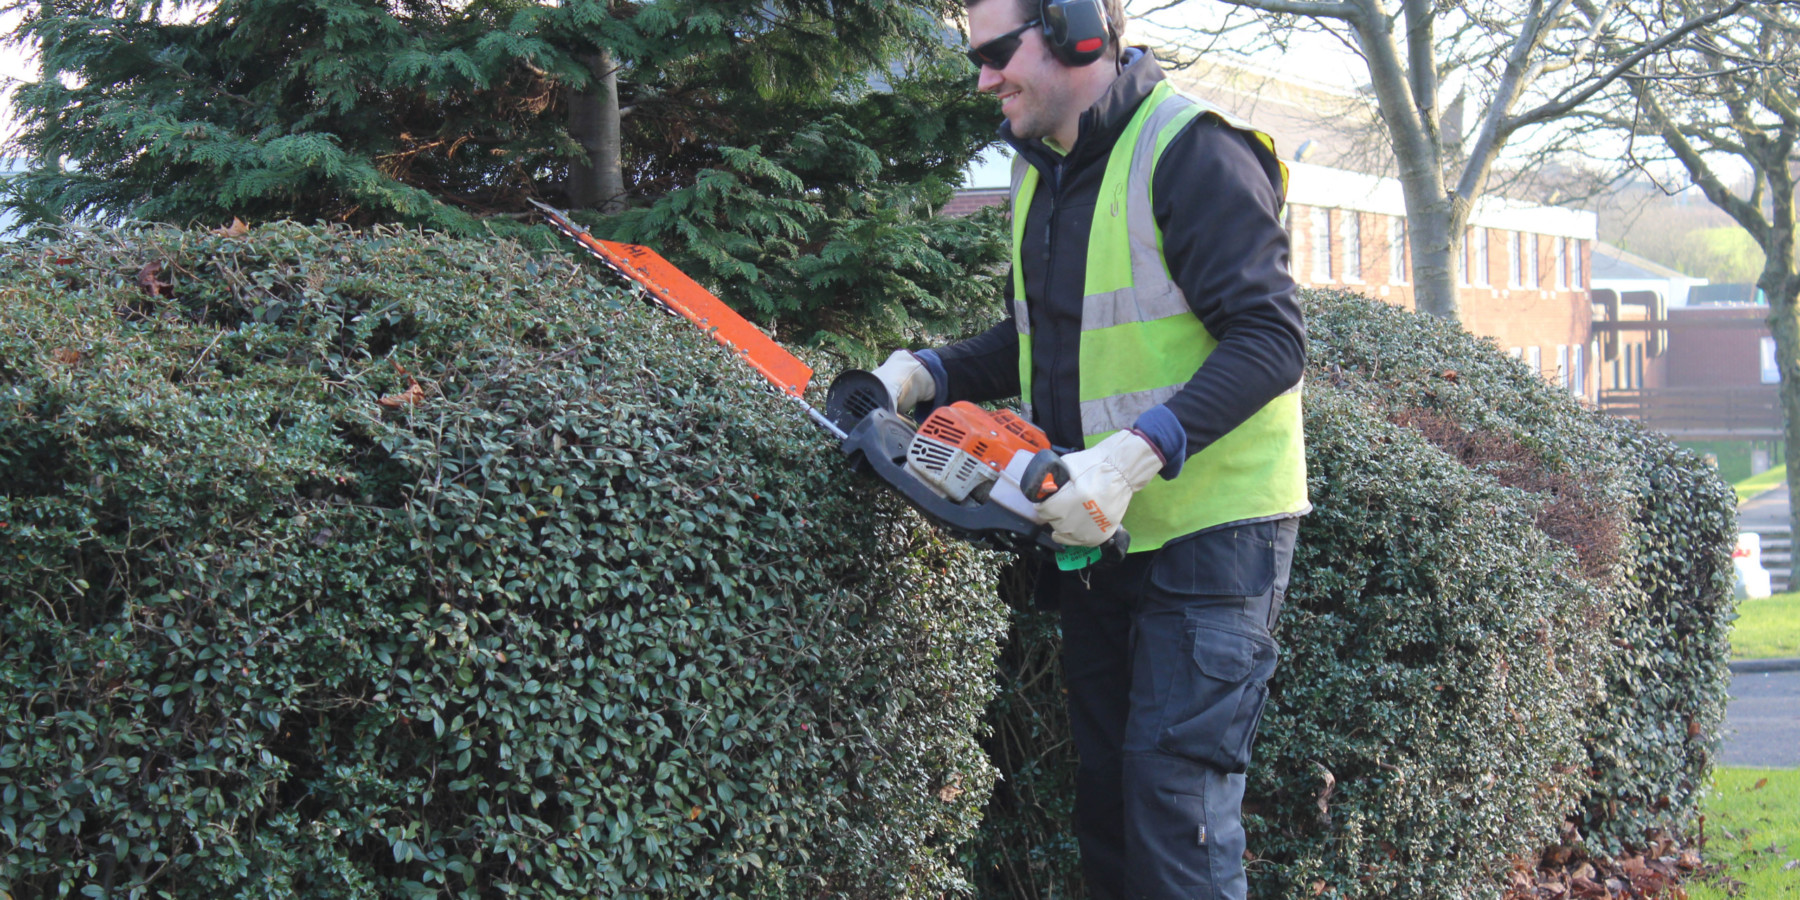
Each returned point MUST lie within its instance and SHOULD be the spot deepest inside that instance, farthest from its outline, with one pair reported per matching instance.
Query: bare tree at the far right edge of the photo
(1725, 100)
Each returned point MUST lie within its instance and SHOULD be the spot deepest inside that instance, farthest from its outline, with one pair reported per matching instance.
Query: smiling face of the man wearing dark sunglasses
(1036, 91)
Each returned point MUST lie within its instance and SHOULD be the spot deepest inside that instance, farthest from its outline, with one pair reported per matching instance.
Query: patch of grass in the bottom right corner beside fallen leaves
(1754, 831)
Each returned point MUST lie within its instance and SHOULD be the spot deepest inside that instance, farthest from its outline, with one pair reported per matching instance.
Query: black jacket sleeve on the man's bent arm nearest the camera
(1225, 244)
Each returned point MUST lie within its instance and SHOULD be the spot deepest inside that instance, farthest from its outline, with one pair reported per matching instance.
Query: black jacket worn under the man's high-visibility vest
(1218, 204)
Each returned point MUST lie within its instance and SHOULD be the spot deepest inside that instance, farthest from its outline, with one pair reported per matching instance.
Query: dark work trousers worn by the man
(1167, 660)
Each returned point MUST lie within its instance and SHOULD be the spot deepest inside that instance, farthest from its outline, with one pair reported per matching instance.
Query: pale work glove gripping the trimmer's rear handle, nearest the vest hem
(1090, 508)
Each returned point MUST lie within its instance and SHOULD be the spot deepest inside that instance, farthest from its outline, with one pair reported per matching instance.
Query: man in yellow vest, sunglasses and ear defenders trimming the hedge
(1153, 325)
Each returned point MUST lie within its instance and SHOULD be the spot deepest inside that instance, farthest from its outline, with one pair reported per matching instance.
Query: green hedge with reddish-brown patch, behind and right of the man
(1506, 631)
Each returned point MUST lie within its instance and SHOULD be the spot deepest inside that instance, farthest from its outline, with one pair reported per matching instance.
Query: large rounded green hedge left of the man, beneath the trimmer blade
(397, 566)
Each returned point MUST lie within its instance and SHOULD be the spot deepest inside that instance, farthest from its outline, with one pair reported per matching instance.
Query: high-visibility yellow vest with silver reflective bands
(1142, 343)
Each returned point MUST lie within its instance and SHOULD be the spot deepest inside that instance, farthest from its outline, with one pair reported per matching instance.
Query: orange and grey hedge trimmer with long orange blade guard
(973, 472)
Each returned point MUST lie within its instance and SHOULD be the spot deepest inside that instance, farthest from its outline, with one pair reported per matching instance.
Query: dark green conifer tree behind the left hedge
(791, 154)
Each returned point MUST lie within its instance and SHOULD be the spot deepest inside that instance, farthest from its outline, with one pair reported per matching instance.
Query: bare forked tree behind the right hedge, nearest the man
(1516, 69)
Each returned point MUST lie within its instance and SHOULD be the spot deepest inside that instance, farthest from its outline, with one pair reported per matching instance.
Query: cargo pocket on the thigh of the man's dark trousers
(1216, 705)
